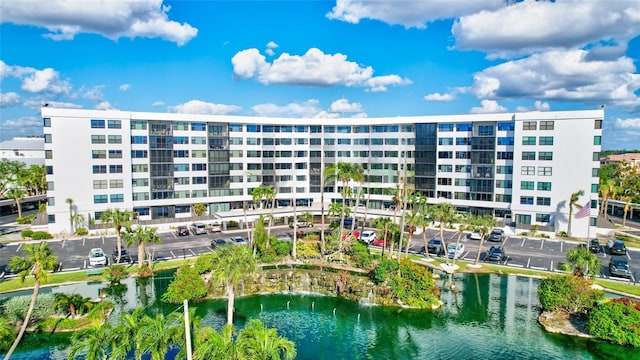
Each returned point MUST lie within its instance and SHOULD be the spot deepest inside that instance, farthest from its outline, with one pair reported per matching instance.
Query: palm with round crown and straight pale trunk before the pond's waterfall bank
(231, 264)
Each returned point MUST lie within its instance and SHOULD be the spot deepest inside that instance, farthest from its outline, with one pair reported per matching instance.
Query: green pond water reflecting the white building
(489, 317)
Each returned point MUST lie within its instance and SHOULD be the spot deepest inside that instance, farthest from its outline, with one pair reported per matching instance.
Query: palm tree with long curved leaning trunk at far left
(37, 262)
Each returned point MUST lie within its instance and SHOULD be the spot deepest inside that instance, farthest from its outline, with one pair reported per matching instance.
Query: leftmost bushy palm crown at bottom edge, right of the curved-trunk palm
(93, 340)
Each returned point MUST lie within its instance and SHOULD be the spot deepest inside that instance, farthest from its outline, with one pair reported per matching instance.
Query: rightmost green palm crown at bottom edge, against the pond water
(258, 342)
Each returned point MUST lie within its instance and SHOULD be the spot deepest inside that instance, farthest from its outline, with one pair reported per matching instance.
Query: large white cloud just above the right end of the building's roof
(561, 75)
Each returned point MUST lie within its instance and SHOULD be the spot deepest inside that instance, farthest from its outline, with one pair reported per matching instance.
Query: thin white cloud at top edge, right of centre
(407, 13)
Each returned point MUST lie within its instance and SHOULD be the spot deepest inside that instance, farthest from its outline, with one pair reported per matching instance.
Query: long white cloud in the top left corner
(112, 19)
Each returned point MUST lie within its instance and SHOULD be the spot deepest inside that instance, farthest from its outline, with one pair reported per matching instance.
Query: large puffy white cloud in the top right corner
(528, 26)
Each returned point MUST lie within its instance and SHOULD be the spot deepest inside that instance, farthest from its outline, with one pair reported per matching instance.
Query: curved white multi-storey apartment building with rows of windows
(519, 165)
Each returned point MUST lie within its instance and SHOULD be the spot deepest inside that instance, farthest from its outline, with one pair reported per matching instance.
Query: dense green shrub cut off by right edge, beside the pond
(616, 321)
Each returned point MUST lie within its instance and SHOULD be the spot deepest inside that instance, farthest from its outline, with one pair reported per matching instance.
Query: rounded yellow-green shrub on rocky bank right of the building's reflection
(568, 293)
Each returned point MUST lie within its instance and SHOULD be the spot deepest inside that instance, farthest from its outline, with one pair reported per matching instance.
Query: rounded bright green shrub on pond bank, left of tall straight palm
(187, 285)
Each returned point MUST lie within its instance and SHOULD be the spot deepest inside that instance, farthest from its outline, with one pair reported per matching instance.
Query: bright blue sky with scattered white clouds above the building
(327, 59)
